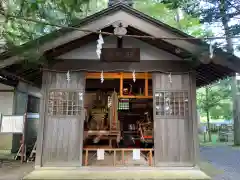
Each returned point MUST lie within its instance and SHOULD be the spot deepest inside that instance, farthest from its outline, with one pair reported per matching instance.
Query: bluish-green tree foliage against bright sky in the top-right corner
(225, 12)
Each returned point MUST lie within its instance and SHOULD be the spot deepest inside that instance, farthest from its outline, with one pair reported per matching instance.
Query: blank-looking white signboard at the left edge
(12, 124)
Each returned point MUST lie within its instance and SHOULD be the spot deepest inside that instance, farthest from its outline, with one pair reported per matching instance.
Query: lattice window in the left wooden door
(65, 103)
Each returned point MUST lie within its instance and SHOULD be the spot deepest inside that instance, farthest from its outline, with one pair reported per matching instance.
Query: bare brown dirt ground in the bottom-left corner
(14, 170)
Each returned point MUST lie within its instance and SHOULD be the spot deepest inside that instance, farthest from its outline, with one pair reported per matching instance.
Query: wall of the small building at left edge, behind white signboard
(14, 101)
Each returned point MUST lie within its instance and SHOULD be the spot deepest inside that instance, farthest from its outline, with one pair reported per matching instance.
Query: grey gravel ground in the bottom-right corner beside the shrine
(223, 158)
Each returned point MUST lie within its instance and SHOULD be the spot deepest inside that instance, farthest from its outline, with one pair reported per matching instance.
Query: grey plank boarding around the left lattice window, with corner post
(60, 136)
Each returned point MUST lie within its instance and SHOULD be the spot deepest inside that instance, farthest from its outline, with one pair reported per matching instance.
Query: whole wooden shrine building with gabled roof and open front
(141, 88)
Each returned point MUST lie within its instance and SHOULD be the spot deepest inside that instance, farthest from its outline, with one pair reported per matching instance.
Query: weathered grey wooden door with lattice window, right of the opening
(173, 128)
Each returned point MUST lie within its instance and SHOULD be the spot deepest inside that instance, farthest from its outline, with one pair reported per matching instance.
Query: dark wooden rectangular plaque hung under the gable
(120, 55)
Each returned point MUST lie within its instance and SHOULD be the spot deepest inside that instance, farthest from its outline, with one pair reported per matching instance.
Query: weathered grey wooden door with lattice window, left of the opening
(63, 119)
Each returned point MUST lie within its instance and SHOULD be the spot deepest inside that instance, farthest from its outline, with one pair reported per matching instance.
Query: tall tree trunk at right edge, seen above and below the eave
(235, 97)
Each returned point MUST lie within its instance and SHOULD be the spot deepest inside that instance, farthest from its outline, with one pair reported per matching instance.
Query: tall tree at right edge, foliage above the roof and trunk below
(225, 12)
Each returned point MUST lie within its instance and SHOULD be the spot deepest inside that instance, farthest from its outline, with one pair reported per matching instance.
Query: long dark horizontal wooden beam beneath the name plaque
(142, 66)
